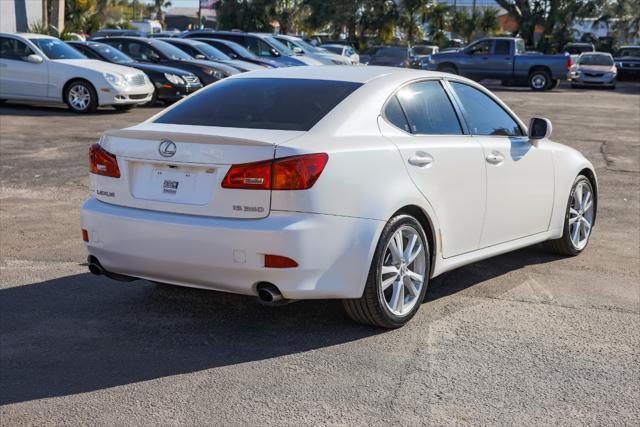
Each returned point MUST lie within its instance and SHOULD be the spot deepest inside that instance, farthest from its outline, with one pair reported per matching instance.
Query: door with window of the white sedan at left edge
(20, 78)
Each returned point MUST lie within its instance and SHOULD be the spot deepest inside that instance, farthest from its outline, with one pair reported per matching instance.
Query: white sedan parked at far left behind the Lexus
(39, 68)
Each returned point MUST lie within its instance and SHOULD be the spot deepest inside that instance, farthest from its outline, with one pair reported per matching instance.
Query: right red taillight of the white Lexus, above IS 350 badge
(287, 173)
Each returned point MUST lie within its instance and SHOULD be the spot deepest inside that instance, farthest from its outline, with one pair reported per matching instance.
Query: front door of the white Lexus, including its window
(520, 175)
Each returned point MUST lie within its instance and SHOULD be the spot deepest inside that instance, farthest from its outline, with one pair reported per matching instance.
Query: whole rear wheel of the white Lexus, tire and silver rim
(398, 277)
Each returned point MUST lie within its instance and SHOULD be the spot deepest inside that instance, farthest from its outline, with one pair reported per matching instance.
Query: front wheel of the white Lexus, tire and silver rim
(579, 219)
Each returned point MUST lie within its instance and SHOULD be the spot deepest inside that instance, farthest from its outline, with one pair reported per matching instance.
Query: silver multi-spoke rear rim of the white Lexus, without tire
(402, 273)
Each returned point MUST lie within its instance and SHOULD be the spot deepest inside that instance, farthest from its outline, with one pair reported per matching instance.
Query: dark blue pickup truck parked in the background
(503, 58)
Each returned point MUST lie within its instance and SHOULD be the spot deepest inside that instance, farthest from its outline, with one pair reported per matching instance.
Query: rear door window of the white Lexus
(429, 109)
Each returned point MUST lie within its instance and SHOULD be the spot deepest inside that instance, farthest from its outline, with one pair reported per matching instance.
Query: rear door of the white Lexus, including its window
(445, 164)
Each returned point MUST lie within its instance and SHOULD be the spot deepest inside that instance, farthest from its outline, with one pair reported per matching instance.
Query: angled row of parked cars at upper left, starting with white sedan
(125, 71)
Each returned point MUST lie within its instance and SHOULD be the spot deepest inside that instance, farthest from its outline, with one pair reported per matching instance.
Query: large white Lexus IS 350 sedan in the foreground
(355, 183)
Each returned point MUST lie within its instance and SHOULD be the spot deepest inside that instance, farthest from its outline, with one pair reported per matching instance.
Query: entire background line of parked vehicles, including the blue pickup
(124, 71)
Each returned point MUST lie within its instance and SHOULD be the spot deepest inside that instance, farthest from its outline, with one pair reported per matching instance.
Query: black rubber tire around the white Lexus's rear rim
(371, 308)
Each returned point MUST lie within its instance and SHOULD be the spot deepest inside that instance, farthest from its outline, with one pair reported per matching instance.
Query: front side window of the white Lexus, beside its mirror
(484, 116)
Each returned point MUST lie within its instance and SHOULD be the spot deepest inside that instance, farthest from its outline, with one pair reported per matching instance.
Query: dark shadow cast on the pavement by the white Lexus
(83, 333)
